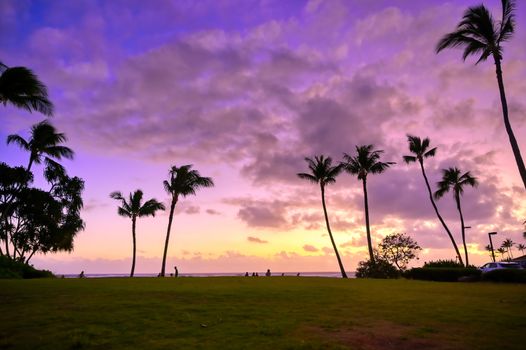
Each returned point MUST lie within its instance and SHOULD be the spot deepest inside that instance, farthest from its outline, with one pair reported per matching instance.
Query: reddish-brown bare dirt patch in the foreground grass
(382, 336)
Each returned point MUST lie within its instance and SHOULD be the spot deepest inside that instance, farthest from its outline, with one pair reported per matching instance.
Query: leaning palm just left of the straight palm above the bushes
(323, 173)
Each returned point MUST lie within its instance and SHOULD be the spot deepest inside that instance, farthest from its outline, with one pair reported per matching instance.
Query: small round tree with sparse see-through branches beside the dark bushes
(398, 249)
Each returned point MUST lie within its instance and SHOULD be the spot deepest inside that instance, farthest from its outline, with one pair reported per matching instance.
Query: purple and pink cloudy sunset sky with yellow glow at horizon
(244, 91)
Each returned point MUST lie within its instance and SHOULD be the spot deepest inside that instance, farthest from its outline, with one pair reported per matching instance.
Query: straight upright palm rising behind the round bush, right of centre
(365, 162)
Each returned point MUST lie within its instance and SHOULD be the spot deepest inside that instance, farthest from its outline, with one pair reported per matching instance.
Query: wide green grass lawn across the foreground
(265, 313)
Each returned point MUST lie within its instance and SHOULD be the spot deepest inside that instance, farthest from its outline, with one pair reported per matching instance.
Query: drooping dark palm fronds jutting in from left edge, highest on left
(20, 87)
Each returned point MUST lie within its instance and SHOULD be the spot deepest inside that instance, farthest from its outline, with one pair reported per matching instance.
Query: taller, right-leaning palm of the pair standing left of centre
(183, 181)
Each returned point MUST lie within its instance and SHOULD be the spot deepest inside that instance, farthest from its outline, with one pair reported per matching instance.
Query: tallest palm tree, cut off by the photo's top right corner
(479, 34)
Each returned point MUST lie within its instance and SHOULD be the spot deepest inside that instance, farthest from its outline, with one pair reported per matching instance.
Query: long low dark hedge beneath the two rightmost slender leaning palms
(443, 274)
